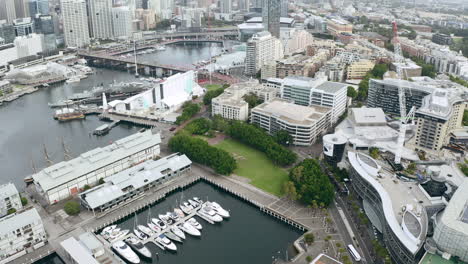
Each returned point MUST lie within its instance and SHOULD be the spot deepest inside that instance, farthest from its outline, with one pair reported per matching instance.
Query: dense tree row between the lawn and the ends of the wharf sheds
(199, 151)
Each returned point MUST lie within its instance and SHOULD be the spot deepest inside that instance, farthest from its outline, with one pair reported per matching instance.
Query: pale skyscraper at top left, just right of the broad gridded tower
(100, 12)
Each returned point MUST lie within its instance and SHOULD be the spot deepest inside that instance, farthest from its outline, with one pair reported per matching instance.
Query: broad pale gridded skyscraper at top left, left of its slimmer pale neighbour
(75, 23)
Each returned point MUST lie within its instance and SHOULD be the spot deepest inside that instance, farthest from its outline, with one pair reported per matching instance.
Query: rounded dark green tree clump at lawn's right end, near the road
(312, 184)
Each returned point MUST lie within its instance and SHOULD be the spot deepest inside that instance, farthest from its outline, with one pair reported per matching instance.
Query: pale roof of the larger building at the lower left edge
(11, 223)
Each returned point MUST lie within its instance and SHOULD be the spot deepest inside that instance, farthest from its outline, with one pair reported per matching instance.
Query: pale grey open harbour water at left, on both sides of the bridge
(26, 124)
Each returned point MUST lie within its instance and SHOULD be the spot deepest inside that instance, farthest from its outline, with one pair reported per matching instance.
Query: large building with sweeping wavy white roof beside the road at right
(398, 209)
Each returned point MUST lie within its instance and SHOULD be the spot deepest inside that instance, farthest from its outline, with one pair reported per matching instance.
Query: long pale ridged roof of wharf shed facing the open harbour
(92, 160)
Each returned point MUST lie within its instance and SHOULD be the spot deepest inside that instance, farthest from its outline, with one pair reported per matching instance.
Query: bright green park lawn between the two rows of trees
(254, 165)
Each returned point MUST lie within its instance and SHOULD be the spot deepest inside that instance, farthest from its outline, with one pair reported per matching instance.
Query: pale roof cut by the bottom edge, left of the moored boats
(76, 252)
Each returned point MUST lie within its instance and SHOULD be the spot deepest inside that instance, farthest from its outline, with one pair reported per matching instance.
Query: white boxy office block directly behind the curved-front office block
(315, 92)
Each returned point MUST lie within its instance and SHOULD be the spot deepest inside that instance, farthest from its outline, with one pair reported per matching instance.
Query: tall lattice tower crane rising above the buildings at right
(405, 117)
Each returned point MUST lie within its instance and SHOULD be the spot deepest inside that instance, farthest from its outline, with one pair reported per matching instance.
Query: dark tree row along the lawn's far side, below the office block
(260, 140)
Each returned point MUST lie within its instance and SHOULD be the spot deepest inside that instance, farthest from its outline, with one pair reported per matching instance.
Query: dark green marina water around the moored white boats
(248, 236)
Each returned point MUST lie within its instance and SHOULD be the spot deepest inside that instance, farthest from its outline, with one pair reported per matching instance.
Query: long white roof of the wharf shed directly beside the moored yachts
(134, 178)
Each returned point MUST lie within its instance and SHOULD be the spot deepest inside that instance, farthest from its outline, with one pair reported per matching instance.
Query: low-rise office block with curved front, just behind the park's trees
(304, 123)
